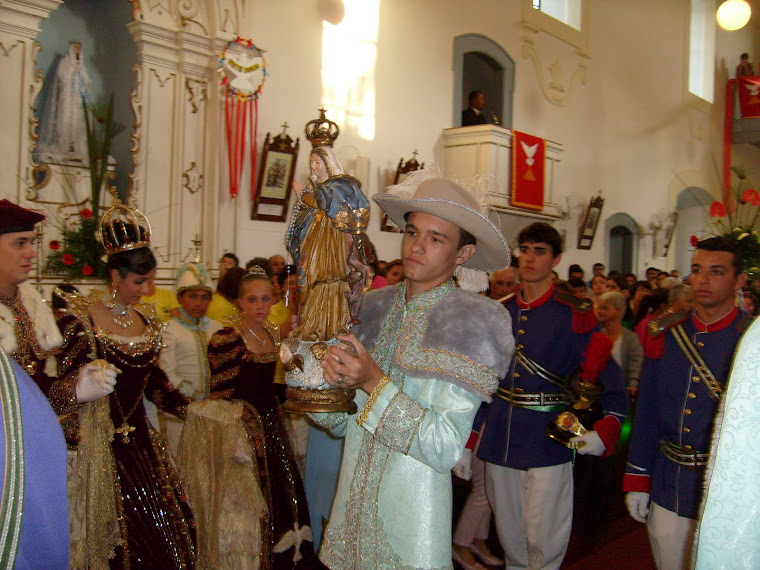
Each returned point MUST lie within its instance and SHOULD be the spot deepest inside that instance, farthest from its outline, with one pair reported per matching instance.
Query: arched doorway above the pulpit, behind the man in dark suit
(482, 64)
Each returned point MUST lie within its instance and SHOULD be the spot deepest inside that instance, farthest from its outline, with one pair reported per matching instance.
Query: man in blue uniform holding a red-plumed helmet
(529, 477)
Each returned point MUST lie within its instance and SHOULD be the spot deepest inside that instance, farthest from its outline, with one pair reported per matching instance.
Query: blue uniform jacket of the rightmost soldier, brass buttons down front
(675, 405)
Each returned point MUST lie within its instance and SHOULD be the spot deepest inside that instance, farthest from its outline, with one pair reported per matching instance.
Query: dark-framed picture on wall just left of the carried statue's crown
(278, 164)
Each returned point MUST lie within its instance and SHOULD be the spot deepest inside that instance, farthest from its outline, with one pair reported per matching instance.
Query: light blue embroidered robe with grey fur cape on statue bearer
(445, 352)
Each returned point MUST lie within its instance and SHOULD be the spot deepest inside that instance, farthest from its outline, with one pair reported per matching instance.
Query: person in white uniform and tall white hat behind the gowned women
(184, 356)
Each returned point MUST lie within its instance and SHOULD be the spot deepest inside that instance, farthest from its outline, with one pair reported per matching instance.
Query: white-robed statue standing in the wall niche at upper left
(63, 136)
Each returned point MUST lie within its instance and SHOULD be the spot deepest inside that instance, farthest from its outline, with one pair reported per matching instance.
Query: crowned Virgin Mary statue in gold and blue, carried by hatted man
(330, 249)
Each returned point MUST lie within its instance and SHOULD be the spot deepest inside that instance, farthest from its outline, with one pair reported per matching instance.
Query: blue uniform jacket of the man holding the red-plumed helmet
(516, 437)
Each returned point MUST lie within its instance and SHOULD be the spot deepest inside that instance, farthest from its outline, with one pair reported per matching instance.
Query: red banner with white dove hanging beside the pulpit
(528, 154)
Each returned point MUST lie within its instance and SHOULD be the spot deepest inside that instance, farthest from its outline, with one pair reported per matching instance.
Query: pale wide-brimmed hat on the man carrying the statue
(449, 201)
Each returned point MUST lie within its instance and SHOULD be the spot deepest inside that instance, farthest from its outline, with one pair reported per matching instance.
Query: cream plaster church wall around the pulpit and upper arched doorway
(628, 131)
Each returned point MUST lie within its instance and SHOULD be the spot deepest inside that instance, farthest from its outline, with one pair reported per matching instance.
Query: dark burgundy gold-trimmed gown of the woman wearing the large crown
(155, 521)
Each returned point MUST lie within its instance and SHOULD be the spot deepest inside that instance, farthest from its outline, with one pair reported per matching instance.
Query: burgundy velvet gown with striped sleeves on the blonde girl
(238, 373)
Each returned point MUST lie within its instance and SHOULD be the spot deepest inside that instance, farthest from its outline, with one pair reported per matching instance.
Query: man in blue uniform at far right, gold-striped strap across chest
(687, 361)
